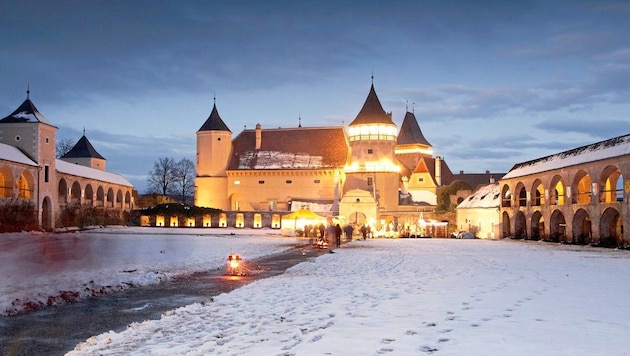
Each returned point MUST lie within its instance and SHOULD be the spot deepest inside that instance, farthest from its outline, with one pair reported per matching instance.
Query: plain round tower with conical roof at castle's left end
(214, 146)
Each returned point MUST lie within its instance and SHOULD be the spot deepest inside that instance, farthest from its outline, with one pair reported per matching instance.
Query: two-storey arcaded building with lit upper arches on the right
(576, 196)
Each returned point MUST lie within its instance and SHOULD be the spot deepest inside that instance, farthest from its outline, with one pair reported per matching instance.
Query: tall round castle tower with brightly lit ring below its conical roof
(372, 138)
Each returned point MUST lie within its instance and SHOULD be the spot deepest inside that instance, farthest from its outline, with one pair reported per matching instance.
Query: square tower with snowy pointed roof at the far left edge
(27, 129)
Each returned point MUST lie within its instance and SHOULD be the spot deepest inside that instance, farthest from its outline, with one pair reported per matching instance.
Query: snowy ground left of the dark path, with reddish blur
(42, 269)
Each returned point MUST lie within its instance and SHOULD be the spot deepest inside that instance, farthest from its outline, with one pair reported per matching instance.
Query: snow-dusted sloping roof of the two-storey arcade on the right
(614, 147)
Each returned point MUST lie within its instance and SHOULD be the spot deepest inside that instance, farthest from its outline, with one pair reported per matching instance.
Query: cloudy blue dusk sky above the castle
(492, 83)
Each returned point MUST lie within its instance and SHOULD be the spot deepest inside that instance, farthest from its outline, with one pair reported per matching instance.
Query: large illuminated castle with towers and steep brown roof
(369, 172)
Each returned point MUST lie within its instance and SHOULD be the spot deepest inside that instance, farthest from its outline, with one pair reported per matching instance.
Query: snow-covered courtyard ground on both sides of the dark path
(380, 296)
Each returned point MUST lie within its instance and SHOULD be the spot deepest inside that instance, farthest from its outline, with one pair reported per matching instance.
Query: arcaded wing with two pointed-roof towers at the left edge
(30, 172)
